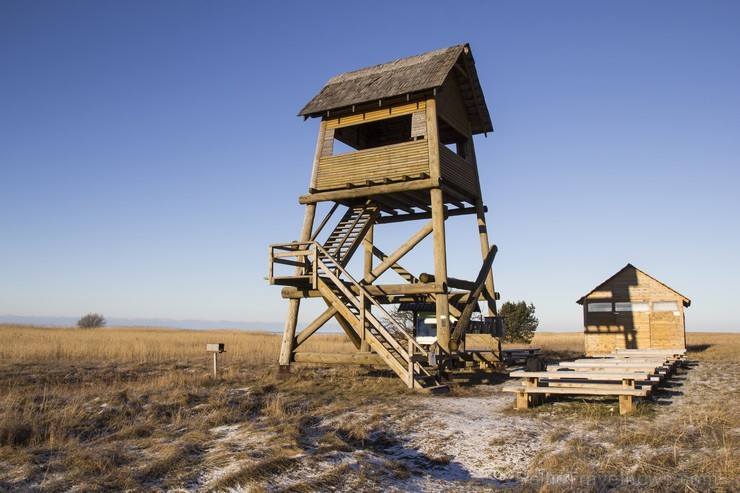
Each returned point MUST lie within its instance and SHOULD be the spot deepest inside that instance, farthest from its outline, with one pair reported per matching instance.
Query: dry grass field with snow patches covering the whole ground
(136, 409)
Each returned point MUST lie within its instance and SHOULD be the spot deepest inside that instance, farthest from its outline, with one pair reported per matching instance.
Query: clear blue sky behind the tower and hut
(149, 150)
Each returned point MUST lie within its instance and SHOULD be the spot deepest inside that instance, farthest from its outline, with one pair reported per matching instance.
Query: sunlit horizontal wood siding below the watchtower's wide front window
(382, 163)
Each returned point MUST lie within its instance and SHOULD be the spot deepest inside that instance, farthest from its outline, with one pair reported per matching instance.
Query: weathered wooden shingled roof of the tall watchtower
(408, 77)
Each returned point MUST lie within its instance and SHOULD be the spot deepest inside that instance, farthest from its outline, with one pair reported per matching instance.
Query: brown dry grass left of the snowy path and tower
(138, 409)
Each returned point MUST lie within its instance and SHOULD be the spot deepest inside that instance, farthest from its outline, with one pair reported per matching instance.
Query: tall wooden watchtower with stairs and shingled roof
(395, 144)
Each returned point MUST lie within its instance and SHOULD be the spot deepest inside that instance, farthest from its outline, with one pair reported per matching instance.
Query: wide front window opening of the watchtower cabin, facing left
(378, 133)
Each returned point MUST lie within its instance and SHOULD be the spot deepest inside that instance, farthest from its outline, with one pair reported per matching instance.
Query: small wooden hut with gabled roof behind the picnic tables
(633, 310)
